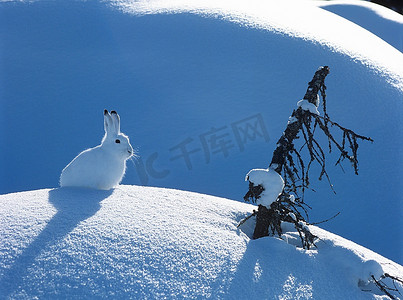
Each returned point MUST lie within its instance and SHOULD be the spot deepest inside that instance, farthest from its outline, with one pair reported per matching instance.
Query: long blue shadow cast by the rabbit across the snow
(73, 206)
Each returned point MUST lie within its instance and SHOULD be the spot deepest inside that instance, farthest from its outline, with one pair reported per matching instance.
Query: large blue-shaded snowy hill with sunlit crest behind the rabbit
(183, 74)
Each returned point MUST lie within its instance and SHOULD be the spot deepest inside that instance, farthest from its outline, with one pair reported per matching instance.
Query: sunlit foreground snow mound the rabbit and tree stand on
(153, 243)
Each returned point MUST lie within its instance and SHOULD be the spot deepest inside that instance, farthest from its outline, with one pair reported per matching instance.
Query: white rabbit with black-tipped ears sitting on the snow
(103, 166)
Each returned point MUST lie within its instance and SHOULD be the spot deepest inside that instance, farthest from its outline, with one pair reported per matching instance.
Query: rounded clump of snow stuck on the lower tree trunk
(271, 181)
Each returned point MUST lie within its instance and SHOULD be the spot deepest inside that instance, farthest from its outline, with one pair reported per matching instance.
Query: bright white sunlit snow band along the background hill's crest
(301, 21)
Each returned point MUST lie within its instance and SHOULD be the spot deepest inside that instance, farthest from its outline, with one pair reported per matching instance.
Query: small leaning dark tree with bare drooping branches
(291, 163)
